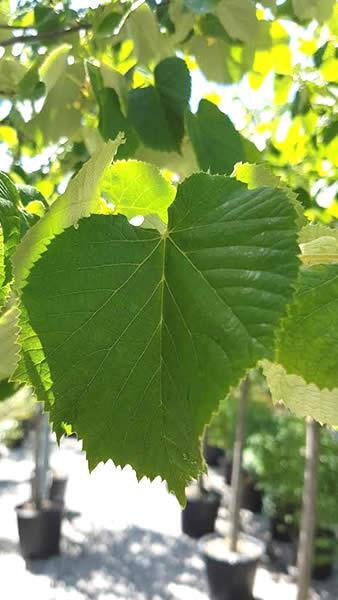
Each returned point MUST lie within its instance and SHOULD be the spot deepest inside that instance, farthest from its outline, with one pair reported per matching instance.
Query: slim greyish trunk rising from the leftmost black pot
(40, 481)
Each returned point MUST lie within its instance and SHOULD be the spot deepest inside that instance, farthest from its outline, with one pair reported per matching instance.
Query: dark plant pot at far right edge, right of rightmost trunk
(325, 546)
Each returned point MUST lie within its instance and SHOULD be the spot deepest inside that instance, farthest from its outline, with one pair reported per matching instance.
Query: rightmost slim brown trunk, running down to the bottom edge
(308, 521)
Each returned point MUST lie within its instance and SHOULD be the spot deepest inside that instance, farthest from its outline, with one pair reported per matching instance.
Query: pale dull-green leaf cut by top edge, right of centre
(238, 18)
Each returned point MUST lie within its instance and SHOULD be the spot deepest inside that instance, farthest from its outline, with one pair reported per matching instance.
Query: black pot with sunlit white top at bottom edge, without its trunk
(231, 575)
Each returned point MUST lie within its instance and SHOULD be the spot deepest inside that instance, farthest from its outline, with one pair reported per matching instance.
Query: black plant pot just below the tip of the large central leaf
(200, 514)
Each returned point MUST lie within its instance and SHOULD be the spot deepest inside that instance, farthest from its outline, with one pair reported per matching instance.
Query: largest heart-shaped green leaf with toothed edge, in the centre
(144, 333)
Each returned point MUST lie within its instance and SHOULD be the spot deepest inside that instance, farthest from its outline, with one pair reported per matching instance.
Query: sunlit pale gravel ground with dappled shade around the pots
(121, 539)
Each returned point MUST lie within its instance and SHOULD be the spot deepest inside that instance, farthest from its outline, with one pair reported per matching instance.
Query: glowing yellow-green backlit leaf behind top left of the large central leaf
(137, 188)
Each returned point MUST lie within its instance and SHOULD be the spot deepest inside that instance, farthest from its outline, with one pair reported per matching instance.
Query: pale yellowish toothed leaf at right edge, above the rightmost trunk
(303, 399)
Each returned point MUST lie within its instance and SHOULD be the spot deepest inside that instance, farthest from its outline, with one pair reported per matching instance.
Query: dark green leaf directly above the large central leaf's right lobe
(217, 144)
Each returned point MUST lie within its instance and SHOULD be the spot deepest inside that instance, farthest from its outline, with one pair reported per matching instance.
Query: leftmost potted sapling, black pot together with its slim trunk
(39, 519)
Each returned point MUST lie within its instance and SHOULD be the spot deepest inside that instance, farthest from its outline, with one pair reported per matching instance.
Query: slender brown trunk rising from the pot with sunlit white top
(236, 475)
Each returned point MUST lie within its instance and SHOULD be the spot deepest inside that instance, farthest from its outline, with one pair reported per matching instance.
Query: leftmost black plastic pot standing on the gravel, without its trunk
(39, 530)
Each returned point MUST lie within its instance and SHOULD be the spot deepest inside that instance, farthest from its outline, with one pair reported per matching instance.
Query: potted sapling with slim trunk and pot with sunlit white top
(231, 562)
